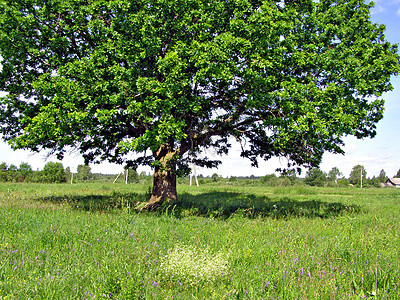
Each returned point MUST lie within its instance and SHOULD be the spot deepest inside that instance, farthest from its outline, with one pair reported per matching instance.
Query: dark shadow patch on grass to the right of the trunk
(227, 204)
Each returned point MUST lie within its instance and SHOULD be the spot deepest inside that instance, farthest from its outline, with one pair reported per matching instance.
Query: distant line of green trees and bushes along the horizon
(54, 172)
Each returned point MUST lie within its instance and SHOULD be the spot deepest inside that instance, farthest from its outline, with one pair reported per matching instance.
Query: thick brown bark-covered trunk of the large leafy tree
(164, 183)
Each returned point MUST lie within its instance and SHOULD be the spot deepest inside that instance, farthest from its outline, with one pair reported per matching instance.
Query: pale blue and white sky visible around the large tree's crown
(381, 152)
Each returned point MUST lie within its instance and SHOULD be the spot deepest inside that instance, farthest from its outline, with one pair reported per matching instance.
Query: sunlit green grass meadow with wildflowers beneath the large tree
(86, 241)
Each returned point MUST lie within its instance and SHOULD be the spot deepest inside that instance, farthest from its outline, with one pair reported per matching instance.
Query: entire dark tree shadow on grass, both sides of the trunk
(221, 205)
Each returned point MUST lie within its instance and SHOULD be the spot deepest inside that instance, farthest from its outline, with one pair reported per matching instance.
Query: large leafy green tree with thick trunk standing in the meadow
(163, 78)
